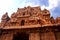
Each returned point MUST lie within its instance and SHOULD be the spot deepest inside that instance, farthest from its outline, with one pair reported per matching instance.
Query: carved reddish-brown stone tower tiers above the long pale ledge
(30, 15)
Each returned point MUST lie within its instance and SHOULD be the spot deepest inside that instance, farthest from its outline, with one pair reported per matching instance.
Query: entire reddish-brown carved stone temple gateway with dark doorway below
(29, 23)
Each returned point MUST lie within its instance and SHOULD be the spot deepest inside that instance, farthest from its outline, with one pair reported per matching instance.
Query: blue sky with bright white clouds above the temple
(11, 6)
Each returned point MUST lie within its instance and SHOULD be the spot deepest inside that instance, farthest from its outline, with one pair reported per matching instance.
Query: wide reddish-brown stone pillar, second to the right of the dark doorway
(47, 36)
